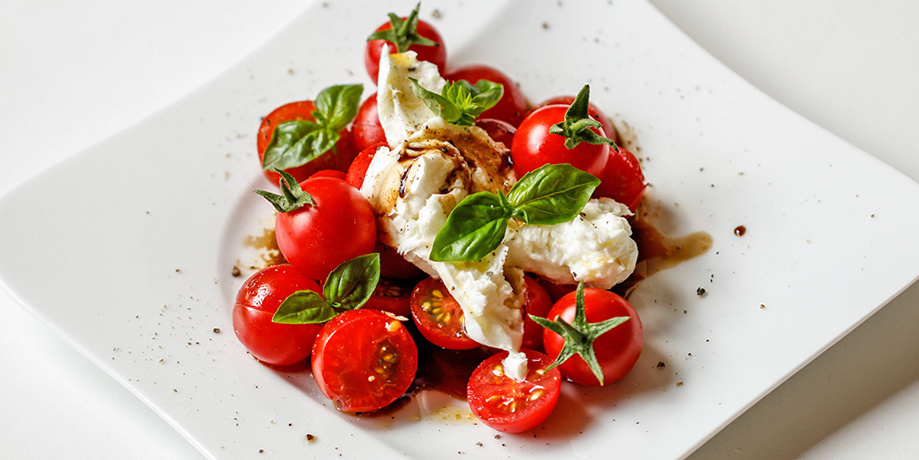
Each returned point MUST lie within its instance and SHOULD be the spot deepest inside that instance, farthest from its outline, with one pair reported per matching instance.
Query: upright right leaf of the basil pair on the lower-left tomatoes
(351, 284)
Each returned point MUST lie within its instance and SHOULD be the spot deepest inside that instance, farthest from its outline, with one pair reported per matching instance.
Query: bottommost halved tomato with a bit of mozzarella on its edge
(510, 405)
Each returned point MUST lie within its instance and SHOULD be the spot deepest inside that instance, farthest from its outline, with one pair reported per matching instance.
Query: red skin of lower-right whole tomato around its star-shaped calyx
(617, 350)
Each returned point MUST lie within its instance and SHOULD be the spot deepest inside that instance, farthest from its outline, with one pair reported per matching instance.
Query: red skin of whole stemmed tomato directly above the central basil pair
(535, 146)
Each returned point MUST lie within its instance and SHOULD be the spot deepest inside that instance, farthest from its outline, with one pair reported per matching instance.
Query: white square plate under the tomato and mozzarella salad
(127, 249)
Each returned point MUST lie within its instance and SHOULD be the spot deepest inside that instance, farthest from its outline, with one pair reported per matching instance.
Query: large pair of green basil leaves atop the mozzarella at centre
(548, 195)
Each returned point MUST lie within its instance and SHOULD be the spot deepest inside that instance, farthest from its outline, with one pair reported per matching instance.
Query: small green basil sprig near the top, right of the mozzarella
(460, 102)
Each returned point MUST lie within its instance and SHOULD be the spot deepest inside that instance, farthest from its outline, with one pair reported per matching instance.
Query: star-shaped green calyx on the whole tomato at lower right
(580, 335)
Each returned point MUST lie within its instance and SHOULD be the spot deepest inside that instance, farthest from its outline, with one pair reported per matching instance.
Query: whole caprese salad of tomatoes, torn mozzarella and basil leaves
(444, 220)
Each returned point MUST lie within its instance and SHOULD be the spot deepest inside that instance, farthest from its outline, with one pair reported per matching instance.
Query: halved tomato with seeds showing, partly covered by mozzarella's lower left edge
(438, 316)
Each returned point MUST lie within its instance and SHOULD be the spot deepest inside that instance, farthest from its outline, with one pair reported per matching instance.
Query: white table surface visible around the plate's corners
(94, 68)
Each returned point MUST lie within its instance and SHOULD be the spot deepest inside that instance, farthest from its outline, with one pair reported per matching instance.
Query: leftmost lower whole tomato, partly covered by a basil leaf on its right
(257, 301)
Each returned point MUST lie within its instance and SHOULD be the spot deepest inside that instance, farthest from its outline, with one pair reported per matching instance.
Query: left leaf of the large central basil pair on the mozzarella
(474, 228)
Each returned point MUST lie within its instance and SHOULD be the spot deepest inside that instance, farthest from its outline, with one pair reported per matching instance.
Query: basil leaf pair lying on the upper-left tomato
(297, 142)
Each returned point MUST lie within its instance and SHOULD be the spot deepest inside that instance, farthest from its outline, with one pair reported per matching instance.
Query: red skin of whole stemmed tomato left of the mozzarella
(338, 227)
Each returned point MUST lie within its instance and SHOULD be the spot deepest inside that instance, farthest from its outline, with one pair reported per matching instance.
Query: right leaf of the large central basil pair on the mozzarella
(551, 194)
